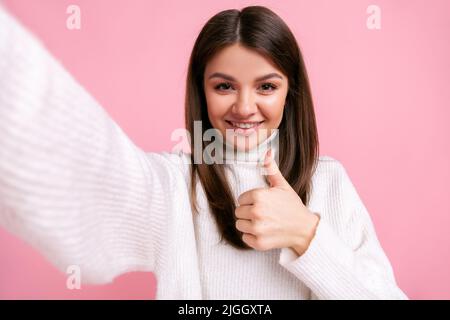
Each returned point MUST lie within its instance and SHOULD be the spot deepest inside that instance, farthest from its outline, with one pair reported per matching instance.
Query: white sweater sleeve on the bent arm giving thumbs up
(345, 259)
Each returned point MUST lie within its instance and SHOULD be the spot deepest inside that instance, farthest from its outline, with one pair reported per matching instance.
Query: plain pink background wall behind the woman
(381, 96)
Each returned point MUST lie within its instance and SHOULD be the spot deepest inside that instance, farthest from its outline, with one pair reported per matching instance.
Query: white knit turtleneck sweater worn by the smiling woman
(74, 186)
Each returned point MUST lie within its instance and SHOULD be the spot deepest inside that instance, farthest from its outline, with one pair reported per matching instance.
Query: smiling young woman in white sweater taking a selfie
(74, 186)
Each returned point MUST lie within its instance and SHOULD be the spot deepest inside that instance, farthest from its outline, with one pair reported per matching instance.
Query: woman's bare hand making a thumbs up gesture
(275, 217)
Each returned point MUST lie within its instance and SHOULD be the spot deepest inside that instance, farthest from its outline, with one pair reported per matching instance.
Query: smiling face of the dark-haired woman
(245, 94)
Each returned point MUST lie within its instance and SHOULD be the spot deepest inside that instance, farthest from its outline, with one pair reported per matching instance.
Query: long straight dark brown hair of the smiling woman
(259, 29)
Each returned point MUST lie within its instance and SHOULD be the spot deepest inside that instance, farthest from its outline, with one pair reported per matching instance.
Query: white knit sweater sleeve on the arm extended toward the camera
(71, 182)
